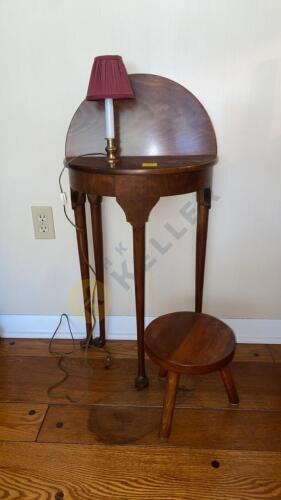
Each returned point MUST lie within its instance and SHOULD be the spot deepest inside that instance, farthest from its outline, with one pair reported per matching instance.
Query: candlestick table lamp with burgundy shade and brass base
(109, 80)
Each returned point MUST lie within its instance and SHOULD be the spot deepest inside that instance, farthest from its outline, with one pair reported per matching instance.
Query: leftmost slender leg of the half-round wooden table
(78, 205)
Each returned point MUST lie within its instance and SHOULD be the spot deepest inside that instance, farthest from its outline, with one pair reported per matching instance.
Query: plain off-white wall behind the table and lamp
(227, 52)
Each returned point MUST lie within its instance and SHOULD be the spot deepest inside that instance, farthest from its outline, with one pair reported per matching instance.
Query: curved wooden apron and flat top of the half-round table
(149, 184)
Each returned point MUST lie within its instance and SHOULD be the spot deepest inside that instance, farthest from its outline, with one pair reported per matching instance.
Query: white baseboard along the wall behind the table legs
(252, 331)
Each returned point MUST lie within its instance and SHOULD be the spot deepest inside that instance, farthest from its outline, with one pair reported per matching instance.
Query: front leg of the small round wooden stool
(169, 404)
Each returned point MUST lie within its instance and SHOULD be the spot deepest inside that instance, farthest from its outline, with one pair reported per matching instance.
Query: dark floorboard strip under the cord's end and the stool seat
(259, 384)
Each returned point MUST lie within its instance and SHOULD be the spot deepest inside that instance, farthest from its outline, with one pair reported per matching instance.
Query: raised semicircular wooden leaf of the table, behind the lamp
(165, 119)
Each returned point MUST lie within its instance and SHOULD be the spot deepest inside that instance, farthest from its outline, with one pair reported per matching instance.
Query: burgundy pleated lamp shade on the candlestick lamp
(109, 79)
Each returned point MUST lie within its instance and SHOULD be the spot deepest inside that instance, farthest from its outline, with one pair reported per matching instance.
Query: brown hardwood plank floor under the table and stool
(106, 446)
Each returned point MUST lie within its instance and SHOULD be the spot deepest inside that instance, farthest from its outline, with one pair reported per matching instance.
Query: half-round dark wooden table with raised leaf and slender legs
(165, 124)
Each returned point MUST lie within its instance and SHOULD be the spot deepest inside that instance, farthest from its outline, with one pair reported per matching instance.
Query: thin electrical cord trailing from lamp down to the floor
(62, 355)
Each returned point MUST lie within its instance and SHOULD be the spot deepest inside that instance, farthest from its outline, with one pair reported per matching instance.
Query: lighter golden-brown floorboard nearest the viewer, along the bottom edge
(34, 470)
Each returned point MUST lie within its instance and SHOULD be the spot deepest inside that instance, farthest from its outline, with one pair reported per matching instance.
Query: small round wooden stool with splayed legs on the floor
(188, 342)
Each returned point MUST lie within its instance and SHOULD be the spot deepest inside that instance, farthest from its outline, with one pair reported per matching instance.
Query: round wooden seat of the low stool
(189, 342)
